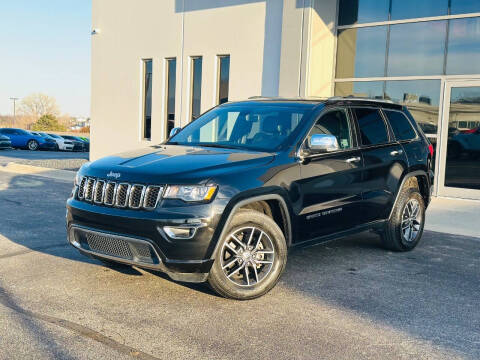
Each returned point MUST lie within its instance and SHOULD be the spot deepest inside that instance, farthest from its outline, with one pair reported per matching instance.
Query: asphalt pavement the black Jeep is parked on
(347, 299)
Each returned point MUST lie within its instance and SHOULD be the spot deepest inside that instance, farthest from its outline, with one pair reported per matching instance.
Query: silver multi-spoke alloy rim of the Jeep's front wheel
(247, 256)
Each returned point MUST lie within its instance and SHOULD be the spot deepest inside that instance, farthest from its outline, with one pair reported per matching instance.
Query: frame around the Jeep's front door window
(302, 144)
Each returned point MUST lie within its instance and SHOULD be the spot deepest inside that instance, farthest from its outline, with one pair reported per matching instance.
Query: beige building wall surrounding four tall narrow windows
(273, 45)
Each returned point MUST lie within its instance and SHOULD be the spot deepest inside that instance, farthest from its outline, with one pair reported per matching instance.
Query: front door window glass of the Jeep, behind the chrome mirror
(335, 123)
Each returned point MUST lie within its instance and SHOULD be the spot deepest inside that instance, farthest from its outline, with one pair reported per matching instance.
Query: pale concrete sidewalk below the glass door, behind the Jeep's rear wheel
(454, 216)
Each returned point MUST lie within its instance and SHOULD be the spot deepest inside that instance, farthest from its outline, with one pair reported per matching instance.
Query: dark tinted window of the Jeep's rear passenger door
(372, 127)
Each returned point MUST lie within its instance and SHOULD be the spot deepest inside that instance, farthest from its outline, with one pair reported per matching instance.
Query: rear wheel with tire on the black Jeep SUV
(401, 232)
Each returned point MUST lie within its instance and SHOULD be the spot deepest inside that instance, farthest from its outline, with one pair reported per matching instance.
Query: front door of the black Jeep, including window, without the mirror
(330, 184)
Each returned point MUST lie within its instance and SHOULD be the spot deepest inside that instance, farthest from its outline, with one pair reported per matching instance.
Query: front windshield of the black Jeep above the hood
(261, 127)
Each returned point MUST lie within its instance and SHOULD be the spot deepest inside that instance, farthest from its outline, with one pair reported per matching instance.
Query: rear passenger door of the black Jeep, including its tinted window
(384, 163)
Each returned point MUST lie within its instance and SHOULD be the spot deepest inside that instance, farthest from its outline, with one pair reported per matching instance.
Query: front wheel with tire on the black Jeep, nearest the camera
(264, 259)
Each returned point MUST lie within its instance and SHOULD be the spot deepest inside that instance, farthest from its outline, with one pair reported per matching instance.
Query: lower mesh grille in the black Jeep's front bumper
(116, 246)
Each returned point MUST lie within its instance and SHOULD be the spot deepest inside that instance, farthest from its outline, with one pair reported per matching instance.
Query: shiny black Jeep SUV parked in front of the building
(224, 198)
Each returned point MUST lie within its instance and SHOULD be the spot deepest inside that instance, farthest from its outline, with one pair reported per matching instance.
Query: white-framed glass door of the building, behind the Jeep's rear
(459, 151)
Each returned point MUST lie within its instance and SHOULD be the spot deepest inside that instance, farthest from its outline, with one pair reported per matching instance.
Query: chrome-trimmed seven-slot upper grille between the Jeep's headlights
(122, 195)
